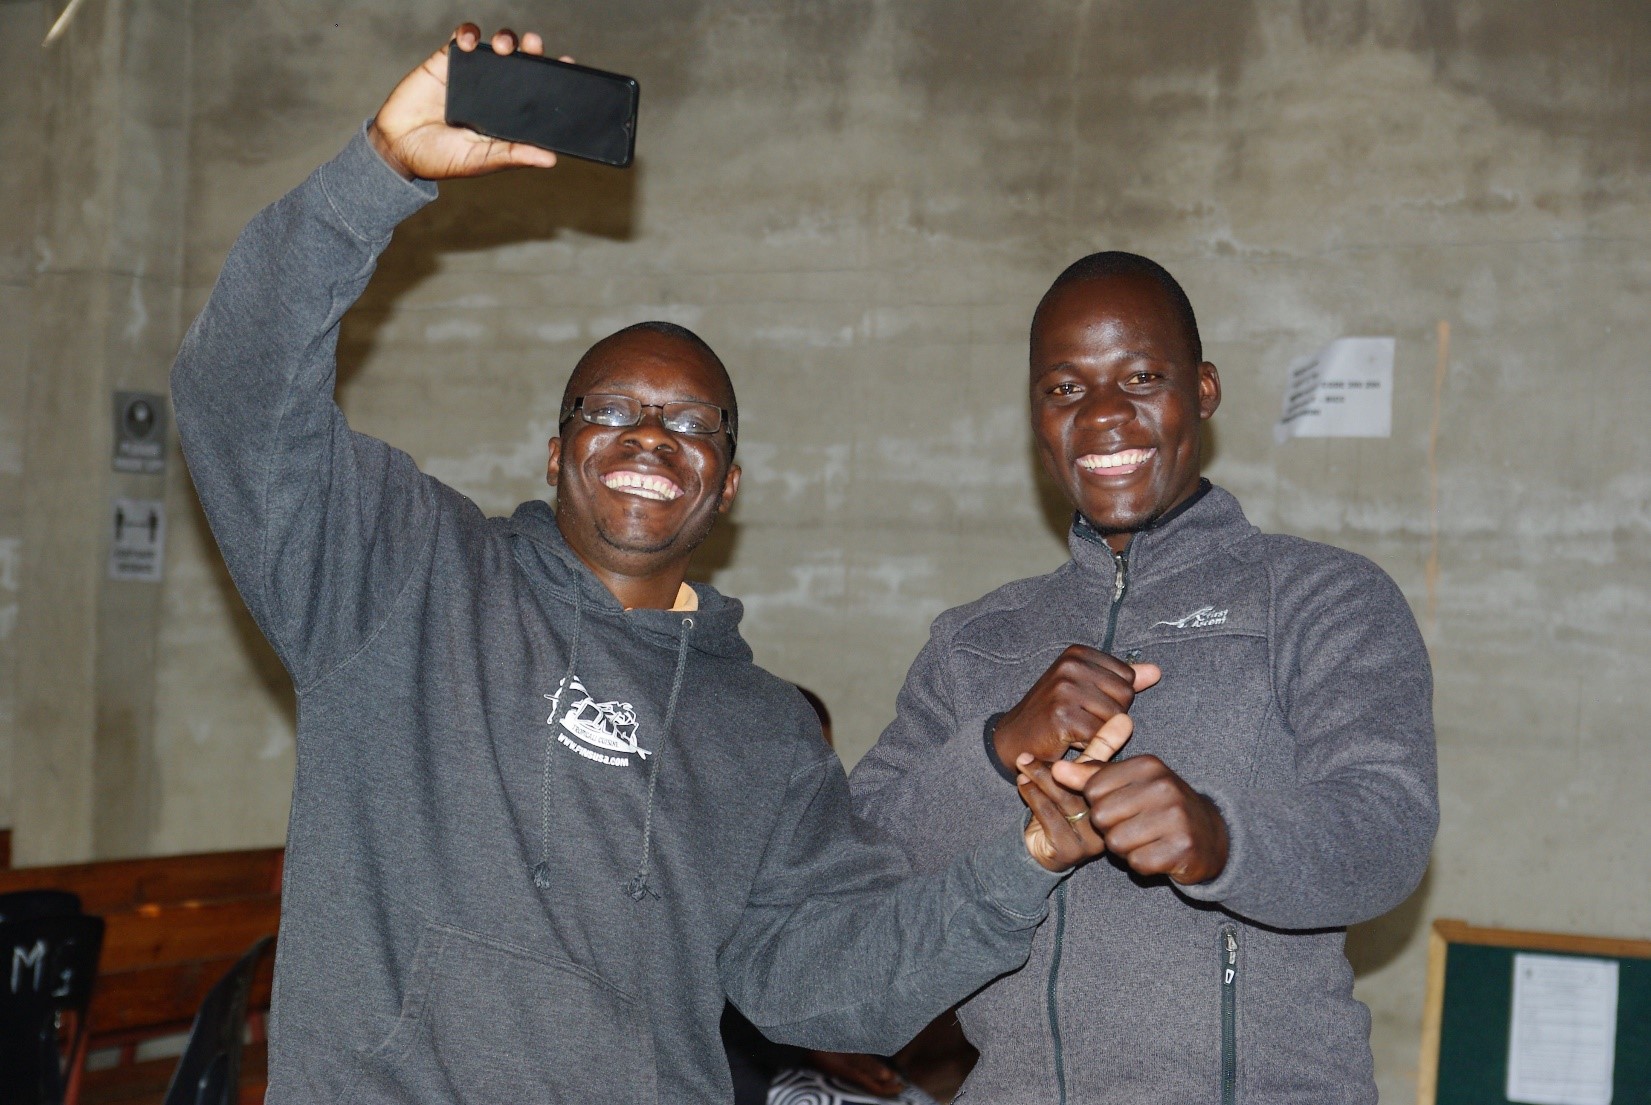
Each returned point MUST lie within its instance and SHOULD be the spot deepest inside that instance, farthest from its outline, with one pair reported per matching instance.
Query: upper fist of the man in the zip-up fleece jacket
(1069, 704)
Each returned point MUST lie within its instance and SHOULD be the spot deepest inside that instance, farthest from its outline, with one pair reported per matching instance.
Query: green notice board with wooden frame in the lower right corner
(1470, 1012)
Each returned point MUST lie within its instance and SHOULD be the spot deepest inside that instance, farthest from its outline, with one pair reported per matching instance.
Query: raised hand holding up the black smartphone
(412, 130)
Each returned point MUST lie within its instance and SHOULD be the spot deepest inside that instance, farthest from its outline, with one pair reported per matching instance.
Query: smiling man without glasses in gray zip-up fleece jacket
(1279, 784)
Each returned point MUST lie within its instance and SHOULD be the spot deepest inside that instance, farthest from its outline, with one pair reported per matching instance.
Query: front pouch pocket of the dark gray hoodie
(486, 1022)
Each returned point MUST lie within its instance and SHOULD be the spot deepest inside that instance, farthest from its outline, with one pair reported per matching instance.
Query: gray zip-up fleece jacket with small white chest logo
(1297, 695)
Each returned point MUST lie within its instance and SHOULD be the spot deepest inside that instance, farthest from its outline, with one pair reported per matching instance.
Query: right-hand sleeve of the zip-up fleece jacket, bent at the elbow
(1351, 838)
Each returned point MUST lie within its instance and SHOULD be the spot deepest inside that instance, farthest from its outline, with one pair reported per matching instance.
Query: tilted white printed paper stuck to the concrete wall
(1345, 391)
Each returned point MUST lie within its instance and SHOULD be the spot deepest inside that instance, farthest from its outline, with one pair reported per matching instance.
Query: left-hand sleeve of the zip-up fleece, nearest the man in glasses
(929, 784)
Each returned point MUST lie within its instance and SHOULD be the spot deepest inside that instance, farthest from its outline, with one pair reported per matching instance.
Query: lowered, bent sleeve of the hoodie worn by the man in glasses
(843, 947)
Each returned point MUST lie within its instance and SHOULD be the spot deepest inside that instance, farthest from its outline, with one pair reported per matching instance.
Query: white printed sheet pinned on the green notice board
(1563, 1041)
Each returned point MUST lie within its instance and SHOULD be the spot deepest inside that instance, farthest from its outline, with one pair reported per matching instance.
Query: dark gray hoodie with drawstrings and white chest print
(536, 840)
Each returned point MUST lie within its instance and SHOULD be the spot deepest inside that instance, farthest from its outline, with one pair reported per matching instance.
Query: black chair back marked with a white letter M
(47, 985)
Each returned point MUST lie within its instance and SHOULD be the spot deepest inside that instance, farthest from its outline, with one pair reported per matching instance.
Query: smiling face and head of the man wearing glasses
(636, 501)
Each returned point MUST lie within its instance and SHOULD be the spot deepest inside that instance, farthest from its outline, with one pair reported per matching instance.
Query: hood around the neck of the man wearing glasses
(554, 567)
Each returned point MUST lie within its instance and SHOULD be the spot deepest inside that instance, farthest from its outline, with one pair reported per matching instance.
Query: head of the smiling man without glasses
(1120, 389)
